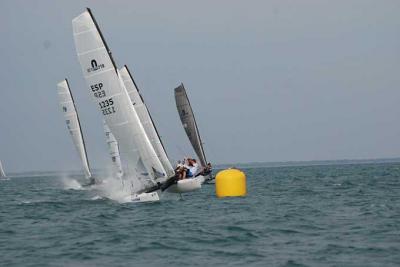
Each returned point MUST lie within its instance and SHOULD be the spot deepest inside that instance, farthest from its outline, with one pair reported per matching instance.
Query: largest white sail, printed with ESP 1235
(112, 100)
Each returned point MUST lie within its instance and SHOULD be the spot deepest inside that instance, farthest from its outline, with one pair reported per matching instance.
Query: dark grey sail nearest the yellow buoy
(189, 123)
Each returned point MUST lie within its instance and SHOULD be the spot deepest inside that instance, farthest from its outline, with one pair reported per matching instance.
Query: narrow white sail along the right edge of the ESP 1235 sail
(145, 119)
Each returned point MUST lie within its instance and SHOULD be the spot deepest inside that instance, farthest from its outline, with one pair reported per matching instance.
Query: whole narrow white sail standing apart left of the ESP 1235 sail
(72, 120)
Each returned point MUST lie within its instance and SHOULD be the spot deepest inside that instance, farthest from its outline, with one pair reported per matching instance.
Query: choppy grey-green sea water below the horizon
(342, 215)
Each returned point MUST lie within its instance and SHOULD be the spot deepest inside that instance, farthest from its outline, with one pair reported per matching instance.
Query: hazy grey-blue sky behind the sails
(268, 80)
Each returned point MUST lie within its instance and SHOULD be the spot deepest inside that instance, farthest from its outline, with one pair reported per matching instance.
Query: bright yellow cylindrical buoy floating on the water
(230, 183)
